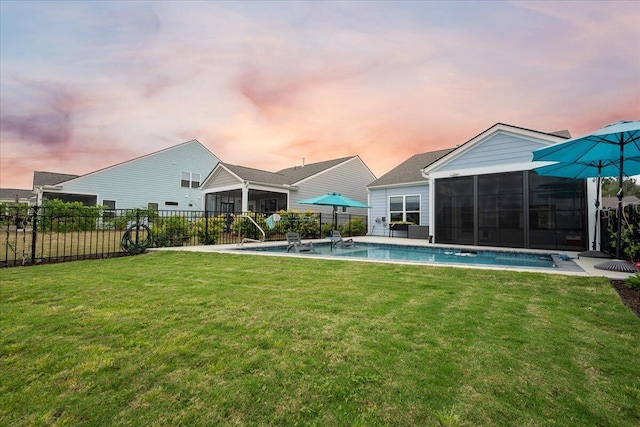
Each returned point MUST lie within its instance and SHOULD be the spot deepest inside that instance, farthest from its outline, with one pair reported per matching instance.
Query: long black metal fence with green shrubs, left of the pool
(58, 231)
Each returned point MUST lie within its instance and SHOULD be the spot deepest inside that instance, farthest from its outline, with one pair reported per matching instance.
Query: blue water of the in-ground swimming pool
(428, 255)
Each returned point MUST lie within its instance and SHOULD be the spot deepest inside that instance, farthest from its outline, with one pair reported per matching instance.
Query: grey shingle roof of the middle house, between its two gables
(284, 176)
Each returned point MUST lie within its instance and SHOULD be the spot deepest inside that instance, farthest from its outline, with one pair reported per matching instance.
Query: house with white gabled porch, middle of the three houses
(233, 188)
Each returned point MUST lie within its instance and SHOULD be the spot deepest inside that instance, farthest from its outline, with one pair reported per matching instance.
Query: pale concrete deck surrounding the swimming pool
(582, 267)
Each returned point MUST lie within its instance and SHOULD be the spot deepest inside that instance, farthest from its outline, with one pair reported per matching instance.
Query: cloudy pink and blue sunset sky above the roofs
(85, 85)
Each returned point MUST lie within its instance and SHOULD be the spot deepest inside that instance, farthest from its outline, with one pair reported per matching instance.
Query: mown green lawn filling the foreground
(176, 338)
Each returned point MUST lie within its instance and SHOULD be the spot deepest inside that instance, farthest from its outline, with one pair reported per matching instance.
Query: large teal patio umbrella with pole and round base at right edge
(615, 146)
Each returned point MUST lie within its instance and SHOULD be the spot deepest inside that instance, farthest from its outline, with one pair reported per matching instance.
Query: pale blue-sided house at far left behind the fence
(167, 179)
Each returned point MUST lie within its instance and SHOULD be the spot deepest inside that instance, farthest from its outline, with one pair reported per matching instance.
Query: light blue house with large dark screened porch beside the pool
(485, 193)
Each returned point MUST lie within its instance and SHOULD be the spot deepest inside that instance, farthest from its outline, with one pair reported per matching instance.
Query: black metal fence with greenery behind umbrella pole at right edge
(630, 236)
